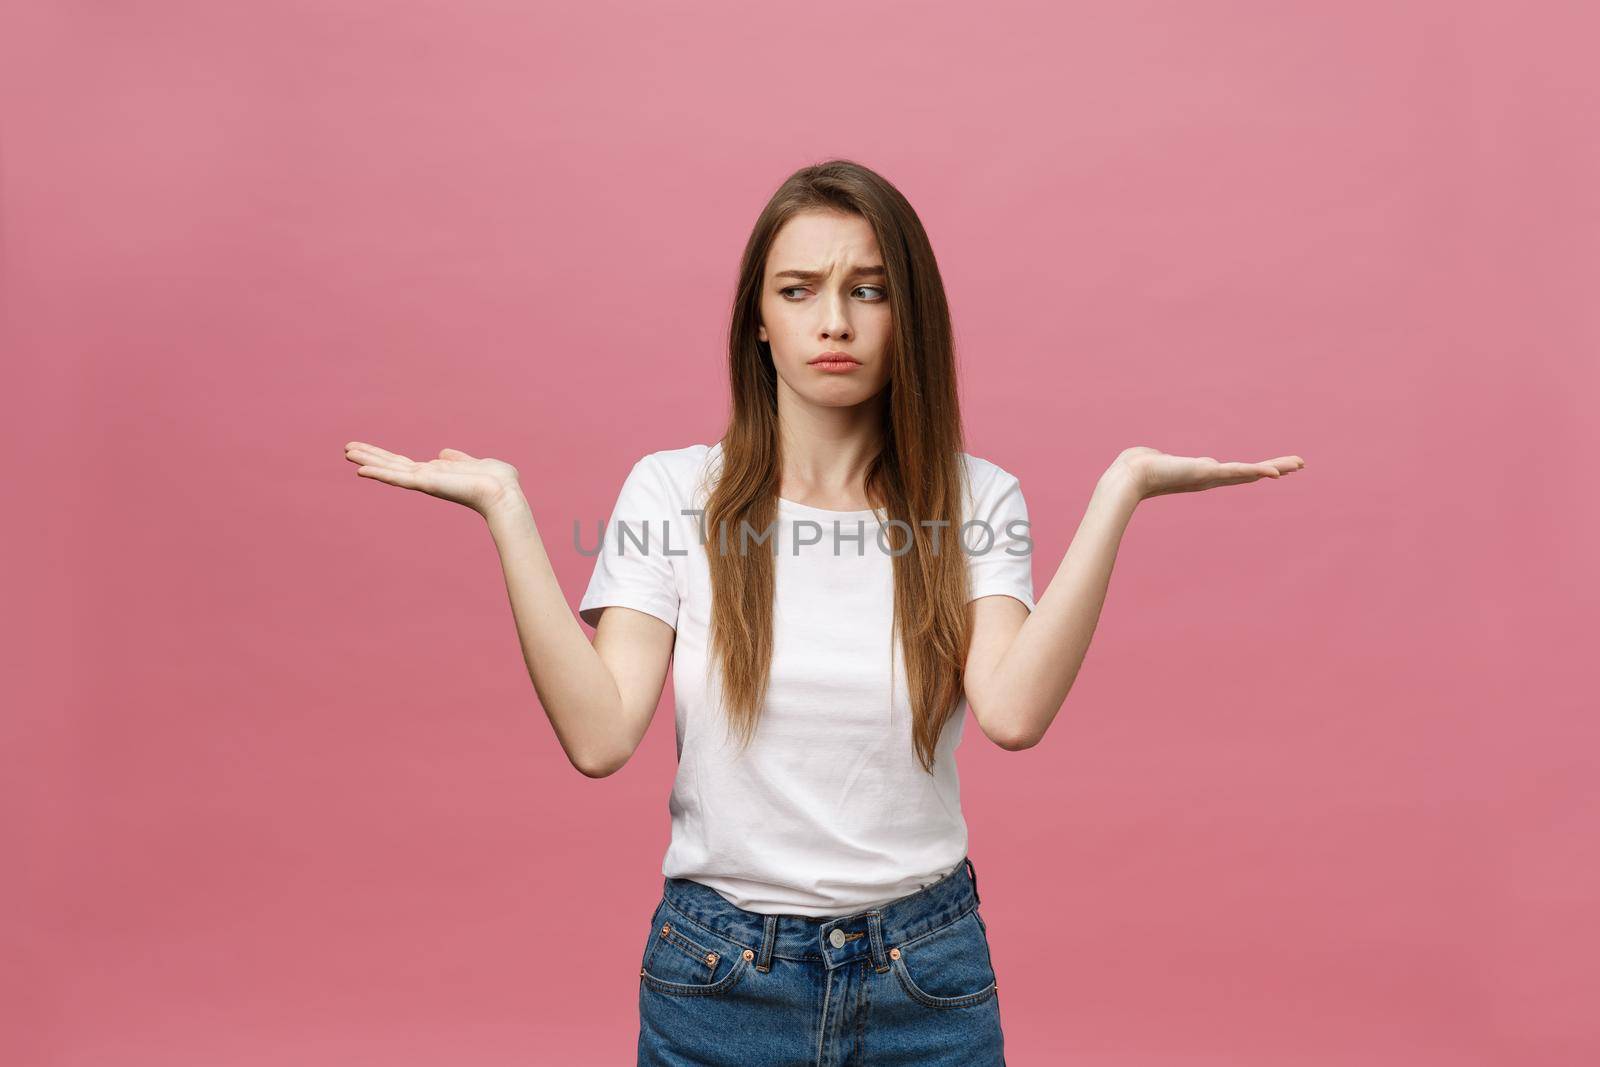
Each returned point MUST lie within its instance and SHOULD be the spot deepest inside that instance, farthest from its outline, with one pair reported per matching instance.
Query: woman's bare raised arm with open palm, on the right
(1023, 665)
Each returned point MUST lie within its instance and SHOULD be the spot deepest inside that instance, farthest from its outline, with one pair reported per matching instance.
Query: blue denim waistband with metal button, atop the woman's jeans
(862, 935)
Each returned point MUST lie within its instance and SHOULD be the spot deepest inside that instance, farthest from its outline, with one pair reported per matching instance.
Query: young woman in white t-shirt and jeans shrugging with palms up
(834, 583)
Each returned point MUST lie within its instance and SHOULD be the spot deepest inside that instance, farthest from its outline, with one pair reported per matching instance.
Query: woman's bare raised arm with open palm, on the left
(599, 697)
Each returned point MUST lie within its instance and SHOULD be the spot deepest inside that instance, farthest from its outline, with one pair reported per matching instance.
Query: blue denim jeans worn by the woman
(905, 983)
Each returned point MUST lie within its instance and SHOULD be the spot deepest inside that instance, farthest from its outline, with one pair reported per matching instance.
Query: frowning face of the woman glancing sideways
(825, 292)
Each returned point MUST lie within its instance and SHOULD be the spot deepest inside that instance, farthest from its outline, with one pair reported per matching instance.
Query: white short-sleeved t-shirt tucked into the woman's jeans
(828, 812)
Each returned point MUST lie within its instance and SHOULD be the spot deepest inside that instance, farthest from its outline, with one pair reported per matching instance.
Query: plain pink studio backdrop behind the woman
(276, 785)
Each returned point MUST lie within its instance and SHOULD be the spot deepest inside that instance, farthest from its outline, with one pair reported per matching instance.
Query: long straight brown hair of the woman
(916, 478)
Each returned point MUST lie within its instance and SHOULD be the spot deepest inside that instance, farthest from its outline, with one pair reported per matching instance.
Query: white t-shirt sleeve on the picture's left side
(633, 569)
